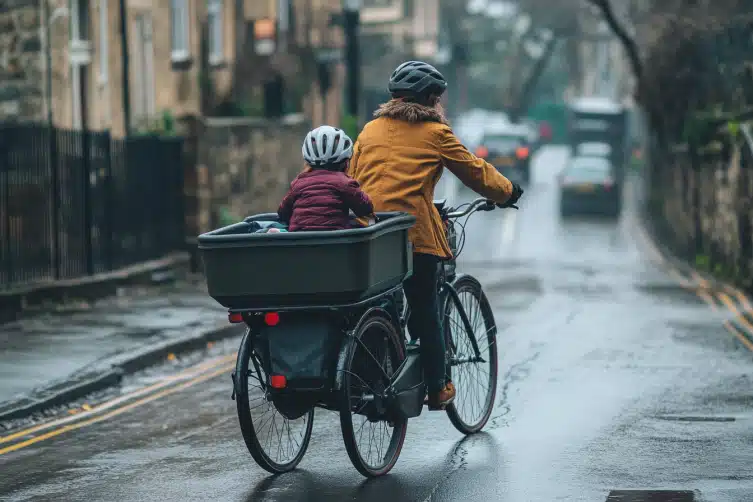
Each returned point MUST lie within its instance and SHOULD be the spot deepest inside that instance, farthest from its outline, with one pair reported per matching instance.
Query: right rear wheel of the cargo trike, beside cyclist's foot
(372, 353)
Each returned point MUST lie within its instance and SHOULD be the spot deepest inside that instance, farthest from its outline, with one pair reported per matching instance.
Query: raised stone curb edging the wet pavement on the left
(81, 385)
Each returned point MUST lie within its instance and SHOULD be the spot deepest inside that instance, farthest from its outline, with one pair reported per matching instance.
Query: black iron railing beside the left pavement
(76, 203)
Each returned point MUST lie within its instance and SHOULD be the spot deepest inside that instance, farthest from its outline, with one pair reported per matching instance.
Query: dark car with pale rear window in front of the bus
(587, 185)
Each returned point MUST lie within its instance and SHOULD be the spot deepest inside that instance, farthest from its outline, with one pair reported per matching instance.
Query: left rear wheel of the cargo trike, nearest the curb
(276, 443)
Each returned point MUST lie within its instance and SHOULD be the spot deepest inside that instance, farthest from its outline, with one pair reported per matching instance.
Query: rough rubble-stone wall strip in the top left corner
(21, 60)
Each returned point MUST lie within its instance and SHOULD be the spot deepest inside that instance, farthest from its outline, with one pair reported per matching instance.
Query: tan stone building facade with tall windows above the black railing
(64, 58)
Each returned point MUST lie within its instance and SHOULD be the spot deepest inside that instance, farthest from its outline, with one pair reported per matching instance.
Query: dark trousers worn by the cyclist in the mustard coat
(424, 322)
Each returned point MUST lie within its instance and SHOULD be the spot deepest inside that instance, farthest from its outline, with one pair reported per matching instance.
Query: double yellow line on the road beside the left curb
(170, 385)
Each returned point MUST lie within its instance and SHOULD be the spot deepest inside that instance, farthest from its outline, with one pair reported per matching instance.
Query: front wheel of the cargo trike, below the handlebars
(475, 378)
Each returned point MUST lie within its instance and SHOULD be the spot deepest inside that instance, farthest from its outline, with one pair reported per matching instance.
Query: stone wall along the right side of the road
(701, 205)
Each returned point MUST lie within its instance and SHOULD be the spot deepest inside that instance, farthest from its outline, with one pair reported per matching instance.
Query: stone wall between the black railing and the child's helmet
(245, 166)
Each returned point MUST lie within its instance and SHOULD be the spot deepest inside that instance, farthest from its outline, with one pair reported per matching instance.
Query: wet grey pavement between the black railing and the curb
(62, 355)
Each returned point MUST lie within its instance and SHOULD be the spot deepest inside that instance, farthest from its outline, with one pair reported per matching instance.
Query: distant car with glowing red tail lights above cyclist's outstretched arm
(507, 146)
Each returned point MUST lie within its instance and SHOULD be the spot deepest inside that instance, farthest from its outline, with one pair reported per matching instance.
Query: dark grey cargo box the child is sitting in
(250, 271)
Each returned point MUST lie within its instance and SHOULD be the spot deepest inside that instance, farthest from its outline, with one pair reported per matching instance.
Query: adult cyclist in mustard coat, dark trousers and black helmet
(398, 160)
